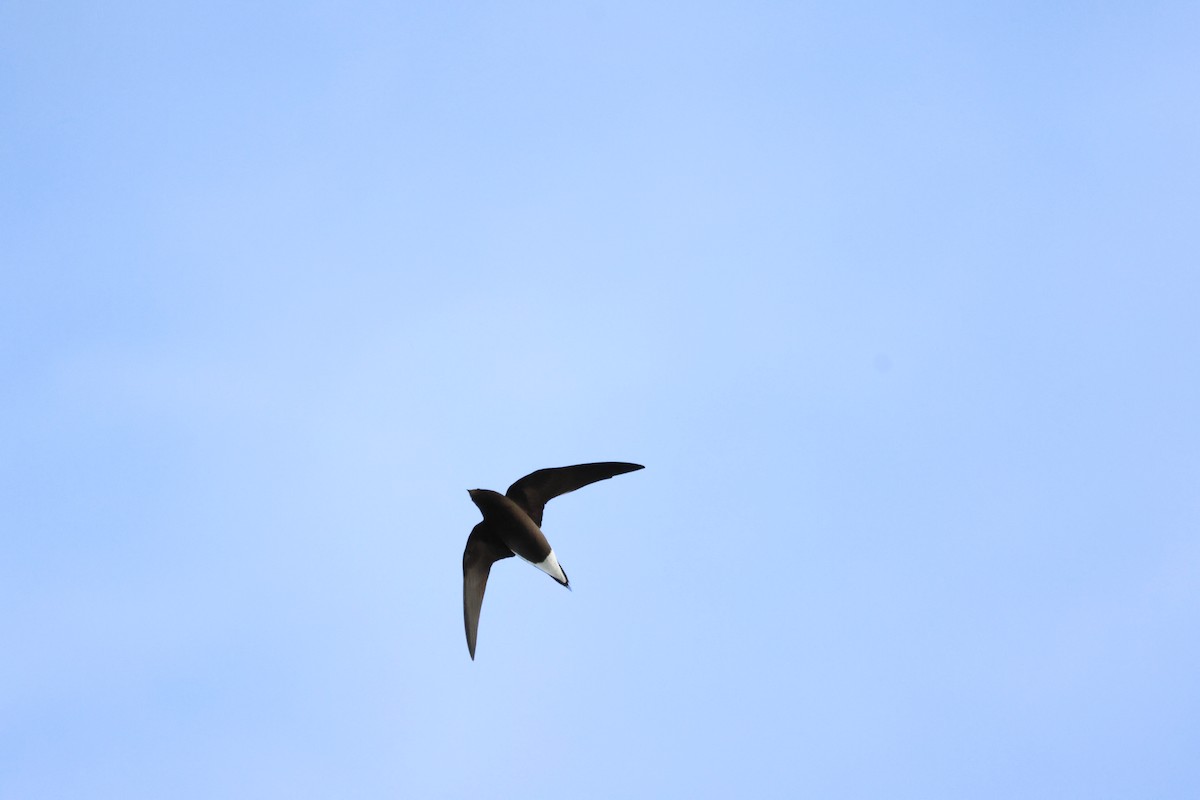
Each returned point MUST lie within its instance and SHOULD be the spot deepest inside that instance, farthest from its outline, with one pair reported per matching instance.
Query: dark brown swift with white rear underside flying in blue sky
(512, 527)
